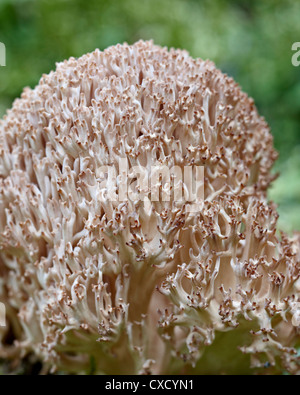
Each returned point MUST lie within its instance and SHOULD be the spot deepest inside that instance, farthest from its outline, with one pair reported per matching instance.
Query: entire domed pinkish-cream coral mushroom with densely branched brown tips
(100, 274)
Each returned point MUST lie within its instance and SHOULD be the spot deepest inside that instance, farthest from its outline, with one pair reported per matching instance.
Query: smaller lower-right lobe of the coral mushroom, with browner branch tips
(235, 274)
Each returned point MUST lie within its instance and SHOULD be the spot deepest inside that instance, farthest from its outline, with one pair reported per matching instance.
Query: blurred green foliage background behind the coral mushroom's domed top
(249, 40)
